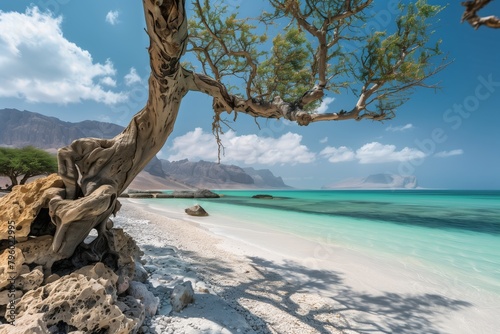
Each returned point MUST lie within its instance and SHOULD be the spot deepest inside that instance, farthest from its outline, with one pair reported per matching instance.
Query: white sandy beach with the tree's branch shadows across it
(249, 280)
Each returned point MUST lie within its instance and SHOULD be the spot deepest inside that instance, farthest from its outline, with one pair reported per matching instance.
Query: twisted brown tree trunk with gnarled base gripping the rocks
(95, 171)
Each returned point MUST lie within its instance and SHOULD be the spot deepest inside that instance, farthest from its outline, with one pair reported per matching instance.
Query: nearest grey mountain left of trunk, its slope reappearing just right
(26, 128)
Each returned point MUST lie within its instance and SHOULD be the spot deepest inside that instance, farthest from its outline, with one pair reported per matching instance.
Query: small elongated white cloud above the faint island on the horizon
(371, 153)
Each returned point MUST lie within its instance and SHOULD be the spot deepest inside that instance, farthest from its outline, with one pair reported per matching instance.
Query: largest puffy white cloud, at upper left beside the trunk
(39, 65)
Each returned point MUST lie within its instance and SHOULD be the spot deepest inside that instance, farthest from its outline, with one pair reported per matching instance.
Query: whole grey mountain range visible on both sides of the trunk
(23, 128)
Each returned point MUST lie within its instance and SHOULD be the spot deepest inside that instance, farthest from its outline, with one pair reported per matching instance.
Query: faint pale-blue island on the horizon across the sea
(377, 181)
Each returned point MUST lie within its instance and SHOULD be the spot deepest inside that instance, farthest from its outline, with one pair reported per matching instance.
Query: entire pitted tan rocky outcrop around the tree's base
(97, 289)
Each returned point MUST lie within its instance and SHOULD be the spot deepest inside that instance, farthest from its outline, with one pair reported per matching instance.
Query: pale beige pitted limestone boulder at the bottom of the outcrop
(88, 304)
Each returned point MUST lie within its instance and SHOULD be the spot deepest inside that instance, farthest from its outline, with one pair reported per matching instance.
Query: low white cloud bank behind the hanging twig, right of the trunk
(248, 149)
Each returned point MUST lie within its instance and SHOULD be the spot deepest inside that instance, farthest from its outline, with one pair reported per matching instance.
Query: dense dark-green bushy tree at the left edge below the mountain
(26, 162)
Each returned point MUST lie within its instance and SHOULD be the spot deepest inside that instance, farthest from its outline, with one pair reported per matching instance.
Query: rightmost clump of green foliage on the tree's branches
(401, 60)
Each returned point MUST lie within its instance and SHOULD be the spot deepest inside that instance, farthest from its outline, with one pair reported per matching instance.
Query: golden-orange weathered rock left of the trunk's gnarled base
(23, 204)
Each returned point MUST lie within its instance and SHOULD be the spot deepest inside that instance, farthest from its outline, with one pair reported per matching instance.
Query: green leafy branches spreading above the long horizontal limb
(322, 43)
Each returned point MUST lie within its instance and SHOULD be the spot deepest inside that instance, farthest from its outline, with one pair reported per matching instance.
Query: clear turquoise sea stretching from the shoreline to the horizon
(454, 234)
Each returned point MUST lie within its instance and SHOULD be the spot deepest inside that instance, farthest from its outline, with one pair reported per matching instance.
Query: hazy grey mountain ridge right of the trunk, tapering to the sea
(204, 174)
